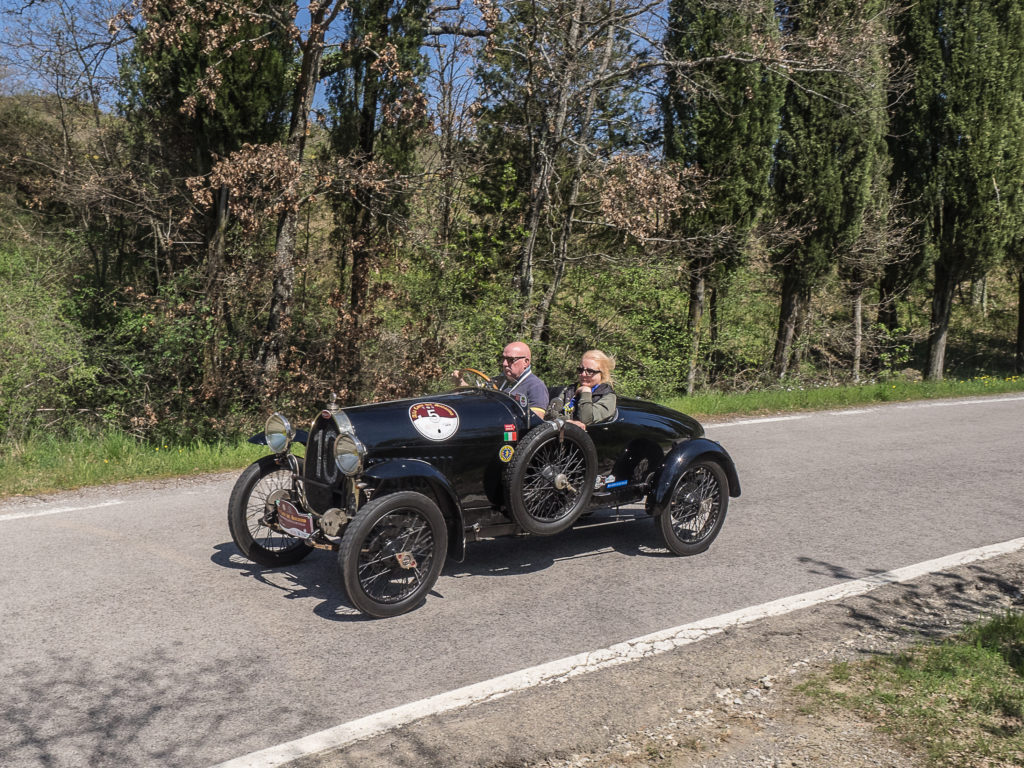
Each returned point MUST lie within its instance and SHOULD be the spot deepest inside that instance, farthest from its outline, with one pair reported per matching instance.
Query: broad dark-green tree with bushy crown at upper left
(181, 132)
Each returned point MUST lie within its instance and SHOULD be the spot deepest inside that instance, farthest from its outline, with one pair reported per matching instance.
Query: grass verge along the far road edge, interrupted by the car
(46, 464)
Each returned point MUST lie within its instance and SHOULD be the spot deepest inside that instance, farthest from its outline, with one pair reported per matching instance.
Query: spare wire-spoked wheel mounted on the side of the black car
(550, 481)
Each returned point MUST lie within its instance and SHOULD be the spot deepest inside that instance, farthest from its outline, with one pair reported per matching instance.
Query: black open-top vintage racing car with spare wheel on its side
(398, 488)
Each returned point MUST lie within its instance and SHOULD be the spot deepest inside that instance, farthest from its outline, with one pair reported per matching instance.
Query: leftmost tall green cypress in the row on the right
(723, 119)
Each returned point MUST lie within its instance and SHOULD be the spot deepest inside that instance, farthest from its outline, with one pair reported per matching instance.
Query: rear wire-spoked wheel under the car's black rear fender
(697, 513)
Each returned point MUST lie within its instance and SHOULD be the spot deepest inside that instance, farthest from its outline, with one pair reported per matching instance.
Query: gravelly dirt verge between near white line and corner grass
(730, 701)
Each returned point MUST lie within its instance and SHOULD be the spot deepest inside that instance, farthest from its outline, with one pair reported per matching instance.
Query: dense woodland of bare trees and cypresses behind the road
(212, 209)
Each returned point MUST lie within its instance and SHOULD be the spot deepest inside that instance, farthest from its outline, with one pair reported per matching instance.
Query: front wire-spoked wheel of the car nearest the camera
(393, 529)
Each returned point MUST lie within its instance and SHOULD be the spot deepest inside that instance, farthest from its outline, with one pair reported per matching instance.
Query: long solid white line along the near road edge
(564, 669)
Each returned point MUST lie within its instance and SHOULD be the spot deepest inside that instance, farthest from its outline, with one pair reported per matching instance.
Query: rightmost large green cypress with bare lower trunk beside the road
(957, 143)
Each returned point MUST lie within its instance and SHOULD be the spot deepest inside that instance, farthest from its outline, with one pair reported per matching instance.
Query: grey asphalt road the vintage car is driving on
(133, 633)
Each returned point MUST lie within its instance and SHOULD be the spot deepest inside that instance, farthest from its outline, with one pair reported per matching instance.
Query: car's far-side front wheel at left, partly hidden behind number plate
(252, 499)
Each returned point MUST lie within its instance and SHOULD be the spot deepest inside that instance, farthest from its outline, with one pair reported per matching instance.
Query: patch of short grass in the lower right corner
(960, 703)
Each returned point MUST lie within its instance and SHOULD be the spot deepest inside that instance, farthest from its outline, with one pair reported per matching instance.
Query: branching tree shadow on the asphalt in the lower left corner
(69, 710)
